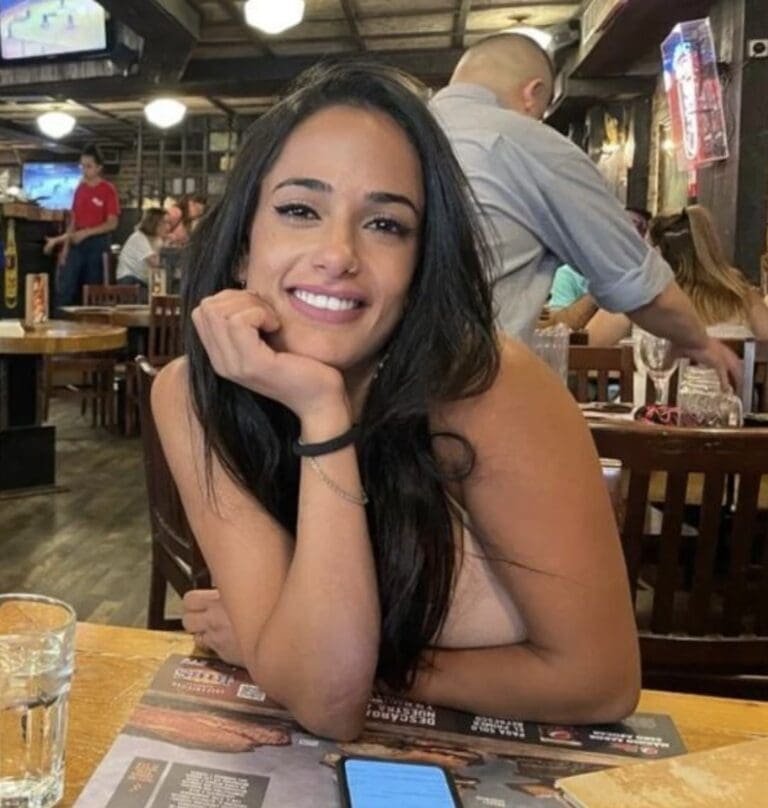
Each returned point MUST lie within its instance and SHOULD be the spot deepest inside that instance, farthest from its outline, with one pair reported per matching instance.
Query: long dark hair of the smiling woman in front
(444, 348)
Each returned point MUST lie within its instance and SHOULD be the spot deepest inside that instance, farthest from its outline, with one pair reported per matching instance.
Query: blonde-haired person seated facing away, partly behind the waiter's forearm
(724, 299)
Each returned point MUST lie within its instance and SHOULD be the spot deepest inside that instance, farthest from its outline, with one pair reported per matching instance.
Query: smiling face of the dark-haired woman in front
(335, 238)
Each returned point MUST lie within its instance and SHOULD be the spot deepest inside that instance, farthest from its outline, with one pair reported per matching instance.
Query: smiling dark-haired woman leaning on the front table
(386, 495)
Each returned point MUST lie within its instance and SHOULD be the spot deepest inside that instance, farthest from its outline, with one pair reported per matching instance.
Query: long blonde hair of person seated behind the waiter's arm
(689, 243)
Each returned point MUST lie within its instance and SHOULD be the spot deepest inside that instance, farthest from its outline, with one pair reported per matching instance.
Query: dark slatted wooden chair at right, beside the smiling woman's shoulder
(701, 596)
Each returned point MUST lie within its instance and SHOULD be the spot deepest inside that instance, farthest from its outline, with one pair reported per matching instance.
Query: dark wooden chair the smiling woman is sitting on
(176, 557)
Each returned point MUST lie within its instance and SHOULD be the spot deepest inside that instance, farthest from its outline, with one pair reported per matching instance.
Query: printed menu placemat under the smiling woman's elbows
(205, 736)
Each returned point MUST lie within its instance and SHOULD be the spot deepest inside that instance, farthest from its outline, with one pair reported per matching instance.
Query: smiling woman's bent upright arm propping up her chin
(305, 613)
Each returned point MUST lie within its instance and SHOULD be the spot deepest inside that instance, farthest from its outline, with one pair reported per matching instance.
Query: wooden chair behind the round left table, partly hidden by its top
(96, 385)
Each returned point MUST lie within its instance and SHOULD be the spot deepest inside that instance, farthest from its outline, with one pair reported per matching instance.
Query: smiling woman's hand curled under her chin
(232, 325)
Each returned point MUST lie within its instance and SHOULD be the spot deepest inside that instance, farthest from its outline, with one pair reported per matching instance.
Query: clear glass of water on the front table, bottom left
(36, 658)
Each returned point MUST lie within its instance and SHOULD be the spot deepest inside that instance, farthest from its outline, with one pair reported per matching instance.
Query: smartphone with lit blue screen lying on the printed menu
(374, 783)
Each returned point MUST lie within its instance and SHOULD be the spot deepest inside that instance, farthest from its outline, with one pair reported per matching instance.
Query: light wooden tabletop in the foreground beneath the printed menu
(115, 666)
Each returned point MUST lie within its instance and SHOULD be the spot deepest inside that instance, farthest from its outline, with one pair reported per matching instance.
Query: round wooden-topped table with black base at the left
(27, 448)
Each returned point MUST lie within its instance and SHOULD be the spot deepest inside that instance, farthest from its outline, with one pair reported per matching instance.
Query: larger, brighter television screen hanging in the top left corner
(41, 28)
